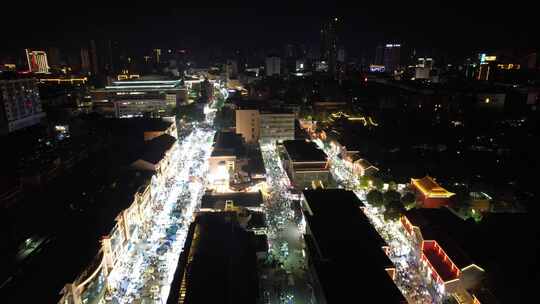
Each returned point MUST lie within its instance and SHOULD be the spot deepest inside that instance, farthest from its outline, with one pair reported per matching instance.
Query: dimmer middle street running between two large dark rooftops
(286, 280)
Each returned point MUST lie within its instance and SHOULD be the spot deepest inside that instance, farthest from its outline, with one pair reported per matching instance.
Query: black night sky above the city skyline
(271, 24)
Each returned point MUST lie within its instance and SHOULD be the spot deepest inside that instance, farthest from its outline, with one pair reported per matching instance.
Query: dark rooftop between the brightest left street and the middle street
(223, 268)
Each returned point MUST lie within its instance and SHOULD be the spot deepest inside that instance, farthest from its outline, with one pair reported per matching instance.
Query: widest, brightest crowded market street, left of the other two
(145, 269)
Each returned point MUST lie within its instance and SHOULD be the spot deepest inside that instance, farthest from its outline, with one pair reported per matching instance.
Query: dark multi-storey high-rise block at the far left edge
(20, 105)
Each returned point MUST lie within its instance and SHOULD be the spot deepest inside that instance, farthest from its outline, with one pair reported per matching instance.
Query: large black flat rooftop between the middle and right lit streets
(344, 245)
